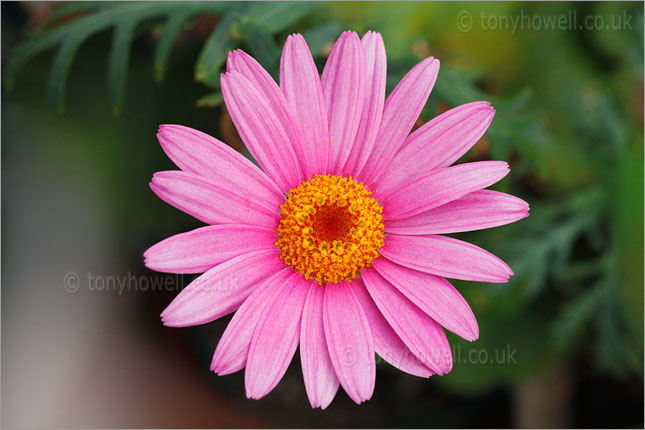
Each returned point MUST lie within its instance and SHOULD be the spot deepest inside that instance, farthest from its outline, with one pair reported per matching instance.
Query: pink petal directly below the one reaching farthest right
(445, 256)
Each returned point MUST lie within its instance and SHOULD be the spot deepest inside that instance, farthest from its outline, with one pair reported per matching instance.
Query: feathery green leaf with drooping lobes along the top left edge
(251, 24)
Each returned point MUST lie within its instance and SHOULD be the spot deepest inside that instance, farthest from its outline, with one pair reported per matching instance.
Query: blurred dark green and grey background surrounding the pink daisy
(85, 86)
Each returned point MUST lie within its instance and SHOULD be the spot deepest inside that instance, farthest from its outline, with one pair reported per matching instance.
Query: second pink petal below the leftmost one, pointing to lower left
(233, 348)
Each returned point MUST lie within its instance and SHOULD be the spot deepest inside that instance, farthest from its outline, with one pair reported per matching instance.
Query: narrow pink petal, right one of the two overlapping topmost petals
(375, 77)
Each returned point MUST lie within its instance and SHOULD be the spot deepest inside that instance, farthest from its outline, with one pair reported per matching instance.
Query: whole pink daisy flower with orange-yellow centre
(335, 245)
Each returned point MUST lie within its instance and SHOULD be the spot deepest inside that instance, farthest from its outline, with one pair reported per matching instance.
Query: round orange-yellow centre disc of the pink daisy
(330, 228)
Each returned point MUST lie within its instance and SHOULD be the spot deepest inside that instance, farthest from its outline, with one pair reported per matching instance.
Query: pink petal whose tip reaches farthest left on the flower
(198, 250)
